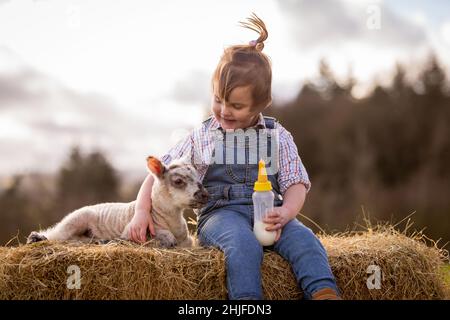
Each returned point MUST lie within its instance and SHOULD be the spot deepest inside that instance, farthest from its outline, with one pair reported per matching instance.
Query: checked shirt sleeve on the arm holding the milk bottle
(292, 171)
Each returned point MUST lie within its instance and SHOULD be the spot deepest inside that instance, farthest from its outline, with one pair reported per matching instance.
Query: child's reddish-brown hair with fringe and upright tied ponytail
(246, 65)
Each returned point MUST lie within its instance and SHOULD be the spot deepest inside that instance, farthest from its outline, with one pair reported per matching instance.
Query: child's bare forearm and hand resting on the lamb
(142, 218)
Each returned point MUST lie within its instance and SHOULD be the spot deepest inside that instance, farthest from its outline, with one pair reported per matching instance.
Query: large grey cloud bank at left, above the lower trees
(41, 119)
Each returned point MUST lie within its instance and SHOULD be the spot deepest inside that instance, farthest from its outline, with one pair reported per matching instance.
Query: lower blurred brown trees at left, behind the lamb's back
(35, 200)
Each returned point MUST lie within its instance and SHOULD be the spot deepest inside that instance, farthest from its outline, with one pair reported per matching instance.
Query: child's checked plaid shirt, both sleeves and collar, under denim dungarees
(201, 143)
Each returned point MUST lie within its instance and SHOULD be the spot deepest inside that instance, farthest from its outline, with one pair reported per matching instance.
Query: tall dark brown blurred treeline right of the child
(387, 154)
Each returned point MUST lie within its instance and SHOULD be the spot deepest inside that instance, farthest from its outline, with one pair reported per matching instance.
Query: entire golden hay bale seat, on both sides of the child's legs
(410, 270)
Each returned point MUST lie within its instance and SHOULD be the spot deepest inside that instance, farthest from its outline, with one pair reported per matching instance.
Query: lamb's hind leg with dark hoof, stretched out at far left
(75, 226)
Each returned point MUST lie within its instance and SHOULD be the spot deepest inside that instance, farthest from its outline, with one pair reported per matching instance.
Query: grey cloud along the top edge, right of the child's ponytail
(335, 22)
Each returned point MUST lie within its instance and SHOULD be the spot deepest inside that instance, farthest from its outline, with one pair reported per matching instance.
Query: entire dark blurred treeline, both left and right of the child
(388, 152)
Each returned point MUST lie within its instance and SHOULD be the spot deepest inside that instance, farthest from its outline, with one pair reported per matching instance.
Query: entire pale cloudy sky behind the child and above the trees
(130, 78)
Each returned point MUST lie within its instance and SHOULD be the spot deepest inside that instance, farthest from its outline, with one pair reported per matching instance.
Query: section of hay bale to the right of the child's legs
(410, 269)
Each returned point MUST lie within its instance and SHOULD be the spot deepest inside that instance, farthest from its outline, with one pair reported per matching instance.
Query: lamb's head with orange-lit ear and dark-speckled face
(179, 183)
